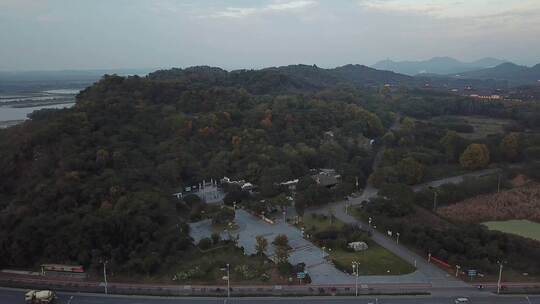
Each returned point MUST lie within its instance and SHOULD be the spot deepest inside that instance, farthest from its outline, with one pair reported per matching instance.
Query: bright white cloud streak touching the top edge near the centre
(275, 7)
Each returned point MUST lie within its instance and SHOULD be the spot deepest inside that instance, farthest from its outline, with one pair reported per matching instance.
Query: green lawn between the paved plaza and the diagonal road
(376, 260)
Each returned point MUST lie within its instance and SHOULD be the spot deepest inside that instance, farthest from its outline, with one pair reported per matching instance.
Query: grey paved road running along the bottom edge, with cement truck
(14, 296)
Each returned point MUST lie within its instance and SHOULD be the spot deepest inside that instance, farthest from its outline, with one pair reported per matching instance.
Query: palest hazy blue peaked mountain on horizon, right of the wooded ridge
(436, 65)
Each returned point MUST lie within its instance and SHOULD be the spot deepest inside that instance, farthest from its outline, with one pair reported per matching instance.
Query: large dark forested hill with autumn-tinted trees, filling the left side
(95, 181)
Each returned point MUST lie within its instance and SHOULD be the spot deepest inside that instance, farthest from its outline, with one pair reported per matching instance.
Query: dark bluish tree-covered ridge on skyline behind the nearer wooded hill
(293, 78)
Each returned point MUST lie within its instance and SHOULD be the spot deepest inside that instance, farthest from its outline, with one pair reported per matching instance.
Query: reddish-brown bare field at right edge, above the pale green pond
(519, 203)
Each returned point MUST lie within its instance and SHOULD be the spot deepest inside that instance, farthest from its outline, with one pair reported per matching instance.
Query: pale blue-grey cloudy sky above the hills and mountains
(233, 34)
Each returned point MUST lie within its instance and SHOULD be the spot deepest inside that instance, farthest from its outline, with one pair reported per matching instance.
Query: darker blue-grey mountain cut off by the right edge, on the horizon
(514, 74)
